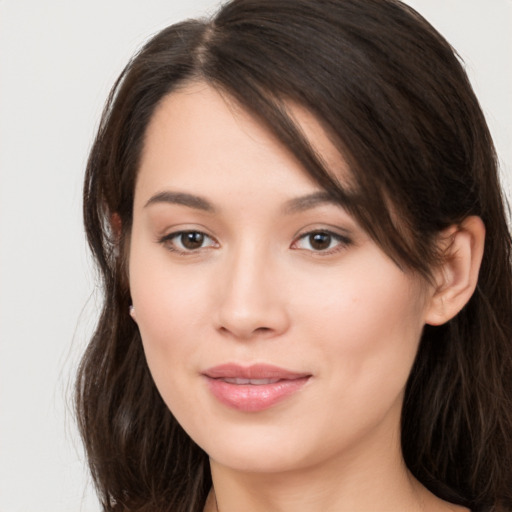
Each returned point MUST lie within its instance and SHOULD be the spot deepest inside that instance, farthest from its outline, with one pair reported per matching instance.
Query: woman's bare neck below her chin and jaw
(378, 482)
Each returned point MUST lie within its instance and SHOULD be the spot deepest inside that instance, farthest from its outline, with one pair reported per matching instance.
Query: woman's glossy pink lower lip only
(254, 398)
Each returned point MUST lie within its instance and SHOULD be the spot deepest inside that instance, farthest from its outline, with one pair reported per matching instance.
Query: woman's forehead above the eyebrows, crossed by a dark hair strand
(198, 133)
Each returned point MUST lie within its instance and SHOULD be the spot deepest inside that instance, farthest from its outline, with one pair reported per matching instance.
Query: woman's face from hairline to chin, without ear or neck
(277, 332)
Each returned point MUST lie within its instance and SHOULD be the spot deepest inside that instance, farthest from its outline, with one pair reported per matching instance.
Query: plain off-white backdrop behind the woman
(58, 59)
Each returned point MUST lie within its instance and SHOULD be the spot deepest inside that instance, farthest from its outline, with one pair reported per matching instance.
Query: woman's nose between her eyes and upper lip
(251, 298)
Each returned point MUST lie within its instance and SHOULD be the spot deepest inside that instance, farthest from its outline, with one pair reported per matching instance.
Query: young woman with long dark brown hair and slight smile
(306, 263)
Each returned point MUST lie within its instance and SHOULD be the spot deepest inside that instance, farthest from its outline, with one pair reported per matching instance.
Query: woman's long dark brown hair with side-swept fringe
(397, 103)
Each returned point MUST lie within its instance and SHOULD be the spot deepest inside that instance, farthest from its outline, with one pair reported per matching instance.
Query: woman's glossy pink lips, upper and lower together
(250, 397)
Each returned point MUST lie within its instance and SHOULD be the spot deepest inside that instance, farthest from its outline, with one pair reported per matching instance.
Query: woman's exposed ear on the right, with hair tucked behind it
(456, 278)
